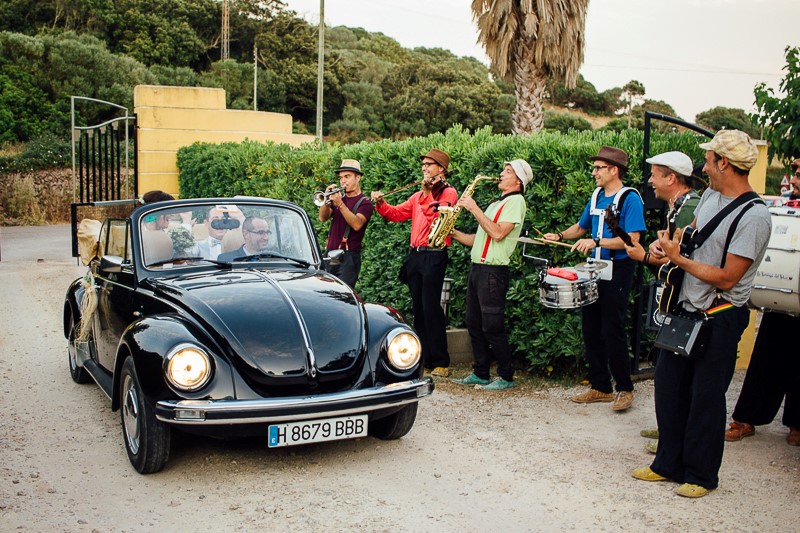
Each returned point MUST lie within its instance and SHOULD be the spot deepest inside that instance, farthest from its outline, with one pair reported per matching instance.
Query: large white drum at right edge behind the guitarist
(777, 283)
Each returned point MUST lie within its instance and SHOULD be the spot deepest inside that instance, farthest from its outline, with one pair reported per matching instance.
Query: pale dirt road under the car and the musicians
(528, 460)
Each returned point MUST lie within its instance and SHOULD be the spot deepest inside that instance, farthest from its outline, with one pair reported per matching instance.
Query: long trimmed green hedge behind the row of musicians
(549, 340)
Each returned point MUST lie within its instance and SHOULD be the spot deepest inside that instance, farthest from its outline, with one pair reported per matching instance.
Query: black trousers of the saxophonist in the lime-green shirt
(487, 286)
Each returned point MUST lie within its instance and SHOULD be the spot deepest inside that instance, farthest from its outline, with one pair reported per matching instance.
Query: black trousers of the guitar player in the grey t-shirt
(690, 404)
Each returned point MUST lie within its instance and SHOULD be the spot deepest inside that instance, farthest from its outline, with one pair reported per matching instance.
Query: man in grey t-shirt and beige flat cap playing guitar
(690, 391)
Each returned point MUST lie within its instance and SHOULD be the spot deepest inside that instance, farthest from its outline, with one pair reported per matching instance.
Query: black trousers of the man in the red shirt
(424, 271)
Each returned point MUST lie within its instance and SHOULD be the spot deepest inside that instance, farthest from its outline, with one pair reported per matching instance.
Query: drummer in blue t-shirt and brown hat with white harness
(605, 337)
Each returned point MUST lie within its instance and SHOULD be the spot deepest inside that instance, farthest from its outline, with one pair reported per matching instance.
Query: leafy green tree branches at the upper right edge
(780, 117)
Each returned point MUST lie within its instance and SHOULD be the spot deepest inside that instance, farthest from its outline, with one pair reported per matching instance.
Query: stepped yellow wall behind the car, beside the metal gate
(171, 117)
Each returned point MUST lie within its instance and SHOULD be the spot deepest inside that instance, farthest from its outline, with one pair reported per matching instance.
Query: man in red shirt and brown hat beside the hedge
(424, 268)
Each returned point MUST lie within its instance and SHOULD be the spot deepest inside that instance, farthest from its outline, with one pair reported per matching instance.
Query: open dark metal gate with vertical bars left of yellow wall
(104, 164)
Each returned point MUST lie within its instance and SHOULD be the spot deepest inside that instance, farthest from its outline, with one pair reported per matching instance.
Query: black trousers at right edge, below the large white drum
(773, 373)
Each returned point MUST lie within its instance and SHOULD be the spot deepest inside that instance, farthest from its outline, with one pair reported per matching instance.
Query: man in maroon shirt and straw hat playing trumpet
(350, 211)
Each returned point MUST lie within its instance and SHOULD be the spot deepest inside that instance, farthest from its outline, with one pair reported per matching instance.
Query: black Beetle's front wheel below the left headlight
(147, 440)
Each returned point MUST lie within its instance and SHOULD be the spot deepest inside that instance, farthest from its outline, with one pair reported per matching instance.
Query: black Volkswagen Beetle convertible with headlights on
(216, 317)
